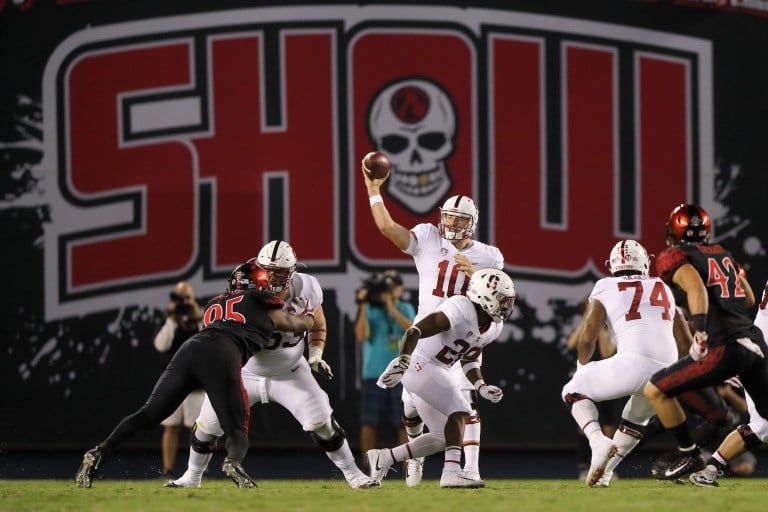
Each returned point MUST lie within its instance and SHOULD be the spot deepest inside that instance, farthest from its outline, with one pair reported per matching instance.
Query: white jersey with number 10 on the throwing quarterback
(438, 276)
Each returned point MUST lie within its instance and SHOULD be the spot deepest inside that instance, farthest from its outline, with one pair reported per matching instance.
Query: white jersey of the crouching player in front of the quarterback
(462, 340)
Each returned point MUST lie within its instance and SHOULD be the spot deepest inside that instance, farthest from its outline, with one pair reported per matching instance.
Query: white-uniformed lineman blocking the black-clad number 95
(279, 373)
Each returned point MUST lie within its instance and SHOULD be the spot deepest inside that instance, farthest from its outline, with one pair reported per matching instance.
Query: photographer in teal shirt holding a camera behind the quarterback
(381, 321)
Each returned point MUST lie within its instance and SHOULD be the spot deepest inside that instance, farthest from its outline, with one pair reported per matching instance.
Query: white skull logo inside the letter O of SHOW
(414, 123)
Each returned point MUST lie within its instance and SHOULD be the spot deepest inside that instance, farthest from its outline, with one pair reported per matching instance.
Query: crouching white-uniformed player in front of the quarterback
(456, 332)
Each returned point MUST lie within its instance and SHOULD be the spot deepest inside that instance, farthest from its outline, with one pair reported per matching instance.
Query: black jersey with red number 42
(728, 317)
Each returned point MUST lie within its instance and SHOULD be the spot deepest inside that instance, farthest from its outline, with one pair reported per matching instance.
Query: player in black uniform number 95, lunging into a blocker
(236, 324)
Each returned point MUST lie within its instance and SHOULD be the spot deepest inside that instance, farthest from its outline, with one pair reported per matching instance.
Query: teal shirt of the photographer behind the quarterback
(382, 347)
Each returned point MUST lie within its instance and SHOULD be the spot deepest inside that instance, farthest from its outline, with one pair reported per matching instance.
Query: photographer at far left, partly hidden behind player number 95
(184, 320)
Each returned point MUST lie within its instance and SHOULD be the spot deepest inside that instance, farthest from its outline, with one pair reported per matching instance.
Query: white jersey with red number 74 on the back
(639, 312)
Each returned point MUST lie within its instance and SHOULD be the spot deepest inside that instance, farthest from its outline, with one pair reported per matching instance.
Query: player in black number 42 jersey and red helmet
(726, 342)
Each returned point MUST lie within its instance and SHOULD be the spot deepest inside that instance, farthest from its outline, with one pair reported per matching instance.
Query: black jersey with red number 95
(243, 318)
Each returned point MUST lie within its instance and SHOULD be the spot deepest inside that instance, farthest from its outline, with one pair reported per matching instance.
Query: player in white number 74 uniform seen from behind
(640, 312)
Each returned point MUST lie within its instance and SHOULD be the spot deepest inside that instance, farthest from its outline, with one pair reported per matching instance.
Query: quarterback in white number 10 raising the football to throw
(446, 257)
